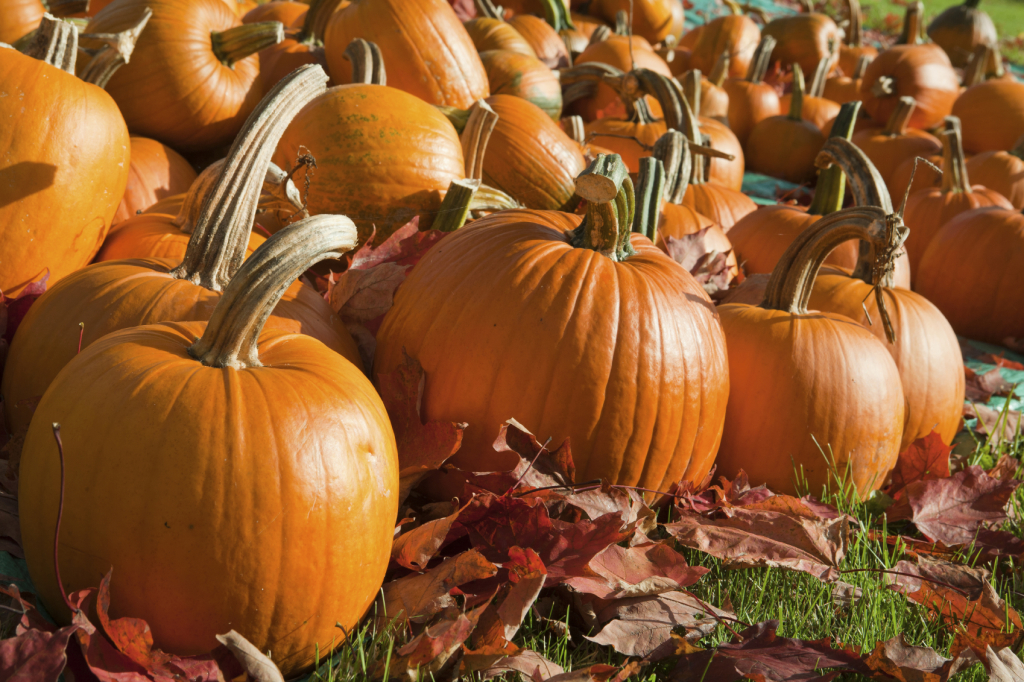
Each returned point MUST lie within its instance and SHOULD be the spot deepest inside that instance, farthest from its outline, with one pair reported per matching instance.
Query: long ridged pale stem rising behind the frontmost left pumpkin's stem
(222, 234)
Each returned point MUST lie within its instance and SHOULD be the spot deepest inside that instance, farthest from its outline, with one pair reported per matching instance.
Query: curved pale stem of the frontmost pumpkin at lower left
(232, 336)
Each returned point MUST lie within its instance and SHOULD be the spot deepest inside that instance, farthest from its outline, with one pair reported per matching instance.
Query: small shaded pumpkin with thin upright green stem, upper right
(785, 147)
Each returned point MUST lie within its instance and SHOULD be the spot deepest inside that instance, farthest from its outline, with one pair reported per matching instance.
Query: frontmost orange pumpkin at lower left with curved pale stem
(248, 451)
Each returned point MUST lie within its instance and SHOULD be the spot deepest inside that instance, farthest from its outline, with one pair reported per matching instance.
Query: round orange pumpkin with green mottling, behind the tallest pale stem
(383, 155)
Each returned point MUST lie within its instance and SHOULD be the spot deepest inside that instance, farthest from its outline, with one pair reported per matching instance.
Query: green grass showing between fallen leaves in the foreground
(801, 604)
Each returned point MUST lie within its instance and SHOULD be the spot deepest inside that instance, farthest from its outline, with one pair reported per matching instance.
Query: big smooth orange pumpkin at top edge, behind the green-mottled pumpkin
(439, 62)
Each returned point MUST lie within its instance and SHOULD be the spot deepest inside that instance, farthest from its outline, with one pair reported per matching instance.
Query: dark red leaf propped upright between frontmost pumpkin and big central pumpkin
(422, 448)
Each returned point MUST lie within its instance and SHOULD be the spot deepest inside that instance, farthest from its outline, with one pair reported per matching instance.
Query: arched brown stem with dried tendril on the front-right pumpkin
(792, 281)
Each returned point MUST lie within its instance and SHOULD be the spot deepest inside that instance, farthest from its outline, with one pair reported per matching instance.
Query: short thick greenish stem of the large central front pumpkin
(607, 187)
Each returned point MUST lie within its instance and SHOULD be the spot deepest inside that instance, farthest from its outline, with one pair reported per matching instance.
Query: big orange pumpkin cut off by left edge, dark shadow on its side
(67, 158)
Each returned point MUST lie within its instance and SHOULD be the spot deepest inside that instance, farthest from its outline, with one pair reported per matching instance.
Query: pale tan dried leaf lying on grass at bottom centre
(644, 626)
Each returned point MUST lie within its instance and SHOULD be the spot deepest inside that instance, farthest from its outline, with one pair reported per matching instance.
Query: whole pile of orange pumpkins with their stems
(220, 443)
